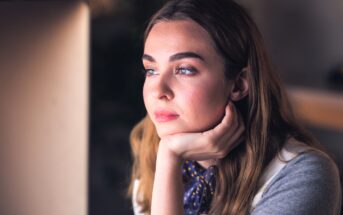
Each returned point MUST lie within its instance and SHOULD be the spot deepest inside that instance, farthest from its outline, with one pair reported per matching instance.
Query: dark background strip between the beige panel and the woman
(116, 100)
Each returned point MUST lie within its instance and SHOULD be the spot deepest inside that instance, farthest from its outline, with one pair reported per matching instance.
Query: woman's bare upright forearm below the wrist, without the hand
(167, 196)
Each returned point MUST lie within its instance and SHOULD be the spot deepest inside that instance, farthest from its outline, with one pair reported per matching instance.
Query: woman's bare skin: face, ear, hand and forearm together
(205, 124)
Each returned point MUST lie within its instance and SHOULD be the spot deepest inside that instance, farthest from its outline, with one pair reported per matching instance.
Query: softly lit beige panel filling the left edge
(44, 108)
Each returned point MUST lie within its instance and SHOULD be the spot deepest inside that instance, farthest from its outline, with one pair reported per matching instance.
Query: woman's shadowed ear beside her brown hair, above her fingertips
(240, 86)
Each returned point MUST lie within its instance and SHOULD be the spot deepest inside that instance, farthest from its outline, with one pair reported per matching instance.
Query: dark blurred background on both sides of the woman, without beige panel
(304, 40)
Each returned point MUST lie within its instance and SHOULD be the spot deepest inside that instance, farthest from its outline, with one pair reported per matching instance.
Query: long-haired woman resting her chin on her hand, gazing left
(219, 136)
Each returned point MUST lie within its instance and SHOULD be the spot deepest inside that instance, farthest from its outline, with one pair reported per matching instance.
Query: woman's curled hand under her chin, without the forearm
(212, 144)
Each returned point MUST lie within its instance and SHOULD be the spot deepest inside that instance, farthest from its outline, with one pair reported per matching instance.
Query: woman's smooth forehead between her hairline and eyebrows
(179, 35)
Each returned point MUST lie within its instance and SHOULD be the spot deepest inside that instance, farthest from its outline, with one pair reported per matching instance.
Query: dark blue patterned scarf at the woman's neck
(199, 185)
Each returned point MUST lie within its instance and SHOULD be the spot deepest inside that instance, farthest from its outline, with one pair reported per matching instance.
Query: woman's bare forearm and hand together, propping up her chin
(167, 196)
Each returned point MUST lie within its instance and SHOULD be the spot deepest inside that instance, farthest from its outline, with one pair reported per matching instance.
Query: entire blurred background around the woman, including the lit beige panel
(77, 117)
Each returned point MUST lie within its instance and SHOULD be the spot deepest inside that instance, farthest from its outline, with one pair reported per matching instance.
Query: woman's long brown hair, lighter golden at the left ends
(268, 116)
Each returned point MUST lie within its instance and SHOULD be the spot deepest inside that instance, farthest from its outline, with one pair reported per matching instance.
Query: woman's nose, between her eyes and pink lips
(161, 88)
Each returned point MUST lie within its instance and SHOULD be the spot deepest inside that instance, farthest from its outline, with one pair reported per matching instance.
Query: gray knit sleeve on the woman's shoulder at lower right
(308, 184)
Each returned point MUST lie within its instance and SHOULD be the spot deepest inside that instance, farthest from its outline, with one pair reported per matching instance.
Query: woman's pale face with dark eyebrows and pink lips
(185, 89)
